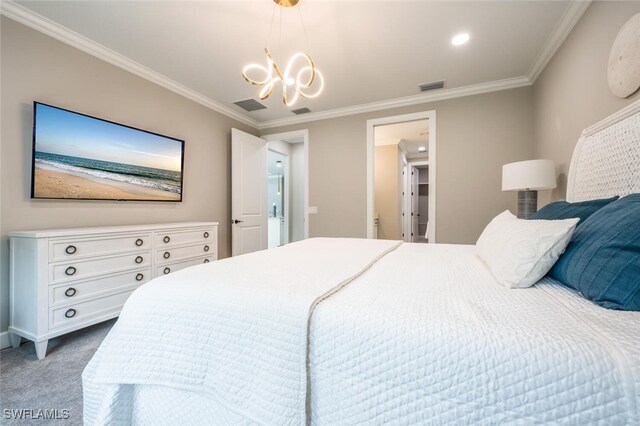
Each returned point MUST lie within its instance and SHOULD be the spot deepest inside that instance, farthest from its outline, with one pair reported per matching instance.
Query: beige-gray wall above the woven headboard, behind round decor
(572, 93)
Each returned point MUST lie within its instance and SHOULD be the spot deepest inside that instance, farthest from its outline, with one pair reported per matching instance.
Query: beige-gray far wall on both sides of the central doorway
(476, 135)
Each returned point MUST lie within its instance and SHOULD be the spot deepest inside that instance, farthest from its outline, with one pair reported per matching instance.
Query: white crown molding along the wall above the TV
(65, 35)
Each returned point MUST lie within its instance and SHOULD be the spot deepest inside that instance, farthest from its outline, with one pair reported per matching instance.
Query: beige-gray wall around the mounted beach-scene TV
(37, 67)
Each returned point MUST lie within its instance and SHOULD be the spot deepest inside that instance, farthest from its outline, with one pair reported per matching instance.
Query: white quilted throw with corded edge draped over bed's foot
(235, 330)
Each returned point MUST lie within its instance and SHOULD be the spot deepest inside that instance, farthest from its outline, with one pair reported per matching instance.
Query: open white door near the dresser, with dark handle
(248, 193)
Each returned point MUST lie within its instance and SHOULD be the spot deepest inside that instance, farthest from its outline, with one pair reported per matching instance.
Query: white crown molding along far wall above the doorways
(458, 92)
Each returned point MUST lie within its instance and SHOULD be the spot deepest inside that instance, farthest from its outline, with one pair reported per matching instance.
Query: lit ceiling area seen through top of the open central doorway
(409, 136)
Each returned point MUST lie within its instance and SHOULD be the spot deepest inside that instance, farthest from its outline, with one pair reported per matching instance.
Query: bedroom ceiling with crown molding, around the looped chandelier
(370, 52)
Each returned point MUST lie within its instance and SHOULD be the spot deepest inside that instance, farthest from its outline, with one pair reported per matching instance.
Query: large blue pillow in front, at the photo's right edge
(602, 261)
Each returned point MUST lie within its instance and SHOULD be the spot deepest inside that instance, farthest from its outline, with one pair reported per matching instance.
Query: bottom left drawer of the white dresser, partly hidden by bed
(68, 315)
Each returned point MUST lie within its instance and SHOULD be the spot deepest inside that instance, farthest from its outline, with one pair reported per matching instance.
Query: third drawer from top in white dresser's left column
(79, 291)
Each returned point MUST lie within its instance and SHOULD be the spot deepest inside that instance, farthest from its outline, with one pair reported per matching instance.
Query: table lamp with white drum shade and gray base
(527, 177)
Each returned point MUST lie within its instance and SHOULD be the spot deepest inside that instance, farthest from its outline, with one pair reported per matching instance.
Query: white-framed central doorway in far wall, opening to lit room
(399, 148)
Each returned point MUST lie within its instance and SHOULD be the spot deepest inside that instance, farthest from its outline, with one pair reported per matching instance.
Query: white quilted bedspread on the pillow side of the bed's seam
(427, 336)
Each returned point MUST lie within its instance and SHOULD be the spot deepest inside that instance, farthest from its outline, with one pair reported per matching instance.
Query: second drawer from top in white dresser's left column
(72, 271)
